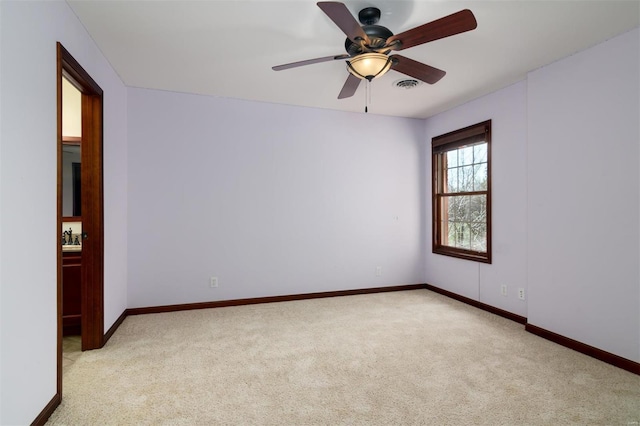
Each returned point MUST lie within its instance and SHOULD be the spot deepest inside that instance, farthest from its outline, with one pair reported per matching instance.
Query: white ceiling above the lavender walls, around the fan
(227, 48)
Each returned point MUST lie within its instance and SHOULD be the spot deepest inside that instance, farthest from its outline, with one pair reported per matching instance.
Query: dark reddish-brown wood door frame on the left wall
(92, 287)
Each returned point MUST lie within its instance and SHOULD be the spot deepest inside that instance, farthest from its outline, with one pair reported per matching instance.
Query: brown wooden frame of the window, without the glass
(440, 145)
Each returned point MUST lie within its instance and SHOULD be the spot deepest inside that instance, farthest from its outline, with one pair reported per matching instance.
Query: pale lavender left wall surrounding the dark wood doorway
(30, 237)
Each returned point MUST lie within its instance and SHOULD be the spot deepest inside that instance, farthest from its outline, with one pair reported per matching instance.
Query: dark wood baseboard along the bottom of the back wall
(270, 299)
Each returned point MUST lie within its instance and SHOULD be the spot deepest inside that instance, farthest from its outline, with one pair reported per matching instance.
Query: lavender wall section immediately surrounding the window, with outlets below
(479, 281)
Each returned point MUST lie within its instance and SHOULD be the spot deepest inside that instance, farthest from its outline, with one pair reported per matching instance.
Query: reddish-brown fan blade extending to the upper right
(456, 23)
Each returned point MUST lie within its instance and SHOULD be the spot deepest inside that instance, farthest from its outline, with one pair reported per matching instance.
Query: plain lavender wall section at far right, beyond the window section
(584, 196)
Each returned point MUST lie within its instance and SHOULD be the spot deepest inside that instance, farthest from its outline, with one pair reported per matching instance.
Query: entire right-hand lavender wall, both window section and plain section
(566, 198)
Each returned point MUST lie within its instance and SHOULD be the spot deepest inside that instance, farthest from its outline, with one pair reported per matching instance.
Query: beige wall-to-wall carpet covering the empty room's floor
(404, 358)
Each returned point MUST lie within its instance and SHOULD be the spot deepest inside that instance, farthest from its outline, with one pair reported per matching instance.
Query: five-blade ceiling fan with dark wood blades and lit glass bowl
(368, 46)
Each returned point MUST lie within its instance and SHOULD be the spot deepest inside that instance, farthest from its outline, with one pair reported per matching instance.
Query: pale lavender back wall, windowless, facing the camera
(272, 199)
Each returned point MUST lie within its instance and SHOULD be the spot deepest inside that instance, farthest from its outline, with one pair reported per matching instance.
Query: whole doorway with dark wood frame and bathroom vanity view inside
(80, 210)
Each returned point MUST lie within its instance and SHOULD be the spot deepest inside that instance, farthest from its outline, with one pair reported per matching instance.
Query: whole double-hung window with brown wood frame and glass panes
(461, 167)
